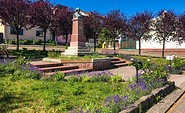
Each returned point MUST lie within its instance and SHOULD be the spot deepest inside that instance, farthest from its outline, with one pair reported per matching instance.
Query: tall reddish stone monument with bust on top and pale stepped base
(78, 39)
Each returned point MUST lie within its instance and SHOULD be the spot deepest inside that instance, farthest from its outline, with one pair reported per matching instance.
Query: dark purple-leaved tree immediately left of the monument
(62, 21)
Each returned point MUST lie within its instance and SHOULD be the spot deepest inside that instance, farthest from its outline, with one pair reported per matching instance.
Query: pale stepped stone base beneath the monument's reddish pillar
(75, 51)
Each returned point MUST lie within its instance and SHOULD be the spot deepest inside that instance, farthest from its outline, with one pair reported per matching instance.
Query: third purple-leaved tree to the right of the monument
(140, 27)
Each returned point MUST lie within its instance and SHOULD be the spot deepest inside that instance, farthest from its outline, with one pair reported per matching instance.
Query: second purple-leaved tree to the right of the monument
(115, 23)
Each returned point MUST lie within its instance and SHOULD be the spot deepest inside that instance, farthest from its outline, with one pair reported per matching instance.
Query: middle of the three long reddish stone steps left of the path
(58, 68)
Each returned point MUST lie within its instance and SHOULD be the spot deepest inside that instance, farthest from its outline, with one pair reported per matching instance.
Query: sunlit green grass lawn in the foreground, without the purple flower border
(28, 95)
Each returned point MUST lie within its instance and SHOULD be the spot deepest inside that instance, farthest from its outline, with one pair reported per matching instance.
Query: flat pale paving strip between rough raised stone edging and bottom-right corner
(165, 104)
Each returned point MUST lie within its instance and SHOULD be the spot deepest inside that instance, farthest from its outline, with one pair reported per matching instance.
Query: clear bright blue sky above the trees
(129, 7)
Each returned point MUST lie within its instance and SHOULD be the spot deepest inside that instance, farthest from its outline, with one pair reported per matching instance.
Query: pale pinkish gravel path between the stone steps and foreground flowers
(126, 72)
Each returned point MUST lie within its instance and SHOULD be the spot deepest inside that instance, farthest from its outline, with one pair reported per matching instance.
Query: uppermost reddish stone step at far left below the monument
(41, 64)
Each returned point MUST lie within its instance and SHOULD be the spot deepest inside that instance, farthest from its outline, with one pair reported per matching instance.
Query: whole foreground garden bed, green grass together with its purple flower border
(86, 92)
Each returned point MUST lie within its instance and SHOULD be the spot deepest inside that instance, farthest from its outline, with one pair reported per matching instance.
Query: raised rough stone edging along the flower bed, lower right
(145, 102)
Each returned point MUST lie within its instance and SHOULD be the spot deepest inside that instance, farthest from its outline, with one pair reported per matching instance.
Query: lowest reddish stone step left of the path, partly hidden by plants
(70, 71)
